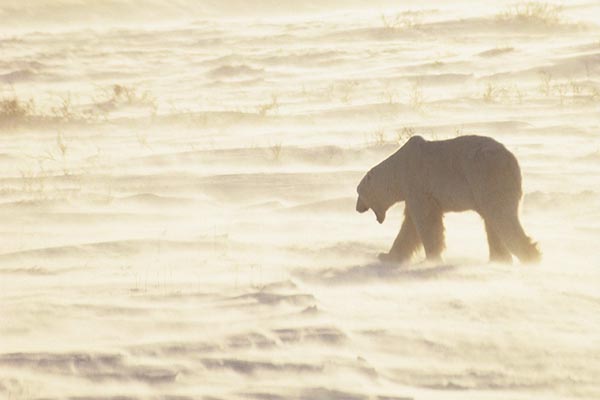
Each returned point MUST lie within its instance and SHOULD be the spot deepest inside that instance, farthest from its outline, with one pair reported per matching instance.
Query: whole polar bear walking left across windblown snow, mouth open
(433, 177)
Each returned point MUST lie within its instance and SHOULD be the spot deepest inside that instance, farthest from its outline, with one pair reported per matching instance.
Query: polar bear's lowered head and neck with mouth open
(383, 185)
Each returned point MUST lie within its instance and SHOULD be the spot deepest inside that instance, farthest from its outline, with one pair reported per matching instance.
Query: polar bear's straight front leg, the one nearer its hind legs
(428, 219)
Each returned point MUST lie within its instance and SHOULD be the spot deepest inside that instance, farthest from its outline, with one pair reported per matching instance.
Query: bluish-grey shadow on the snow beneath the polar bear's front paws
(376, 271)
